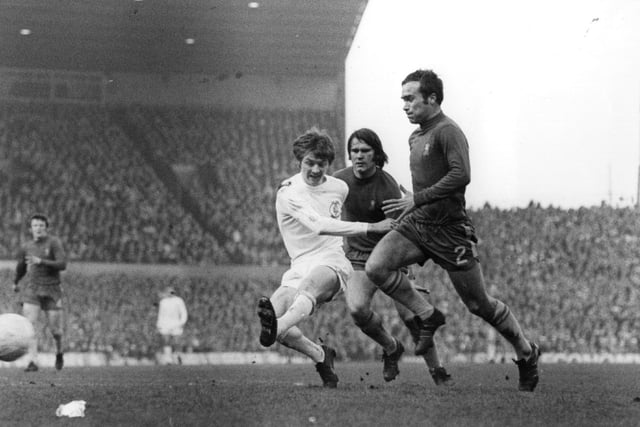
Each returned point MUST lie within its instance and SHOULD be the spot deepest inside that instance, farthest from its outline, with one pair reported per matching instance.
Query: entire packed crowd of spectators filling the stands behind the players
(572, 276)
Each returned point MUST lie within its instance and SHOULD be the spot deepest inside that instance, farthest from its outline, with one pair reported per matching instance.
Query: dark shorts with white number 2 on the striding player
(452, 246)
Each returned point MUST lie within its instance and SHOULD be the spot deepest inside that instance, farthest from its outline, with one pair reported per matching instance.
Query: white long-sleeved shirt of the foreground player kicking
(308, 218)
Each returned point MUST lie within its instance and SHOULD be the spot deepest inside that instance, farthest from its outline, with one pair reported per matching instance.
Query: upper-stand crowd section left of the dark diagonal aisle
(104, 200)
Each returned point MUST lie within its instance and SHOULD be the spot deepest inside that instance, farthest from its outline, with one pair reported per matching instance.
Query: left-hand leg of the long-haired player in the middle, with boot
(359, 293)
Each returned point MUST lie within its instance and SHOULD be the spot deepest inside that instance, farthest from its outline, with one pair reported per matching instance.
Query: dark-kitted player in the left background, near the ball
(41, 260)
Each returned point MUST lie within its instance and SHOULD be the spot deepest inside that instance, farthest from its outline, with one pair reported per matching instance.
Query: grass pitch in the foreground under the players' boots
(291, 395)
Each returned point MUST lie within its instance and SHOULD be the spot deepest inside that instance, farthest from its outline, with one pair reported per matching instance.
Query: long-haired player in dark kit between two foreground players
(369, 186)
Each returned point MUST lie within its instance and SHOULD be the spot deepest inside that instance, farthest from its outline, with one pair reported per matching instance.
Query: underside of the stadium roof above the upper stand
(279, 37)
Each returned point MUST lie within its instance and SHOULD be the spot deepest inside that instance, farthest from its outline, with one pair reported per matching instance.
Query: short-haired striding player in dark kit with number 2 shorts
(434, 223)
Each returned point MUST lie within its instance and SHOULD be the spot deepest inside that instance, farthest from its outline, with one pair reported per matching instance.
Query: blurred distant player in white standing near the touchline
(172, 316)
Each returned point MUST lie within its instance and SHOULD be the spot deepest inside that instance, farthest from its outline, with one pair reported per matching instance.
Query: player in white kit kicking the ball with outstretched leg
(308, 208)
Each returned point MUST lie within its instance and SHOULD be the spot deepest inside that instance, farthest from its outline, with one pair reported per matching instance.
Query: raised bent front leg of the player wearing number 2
(392, 253)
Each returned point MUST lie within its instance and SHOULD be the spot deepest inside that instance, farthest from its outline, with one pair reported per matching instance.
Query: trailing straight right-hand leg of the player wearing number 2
(470, 286)
